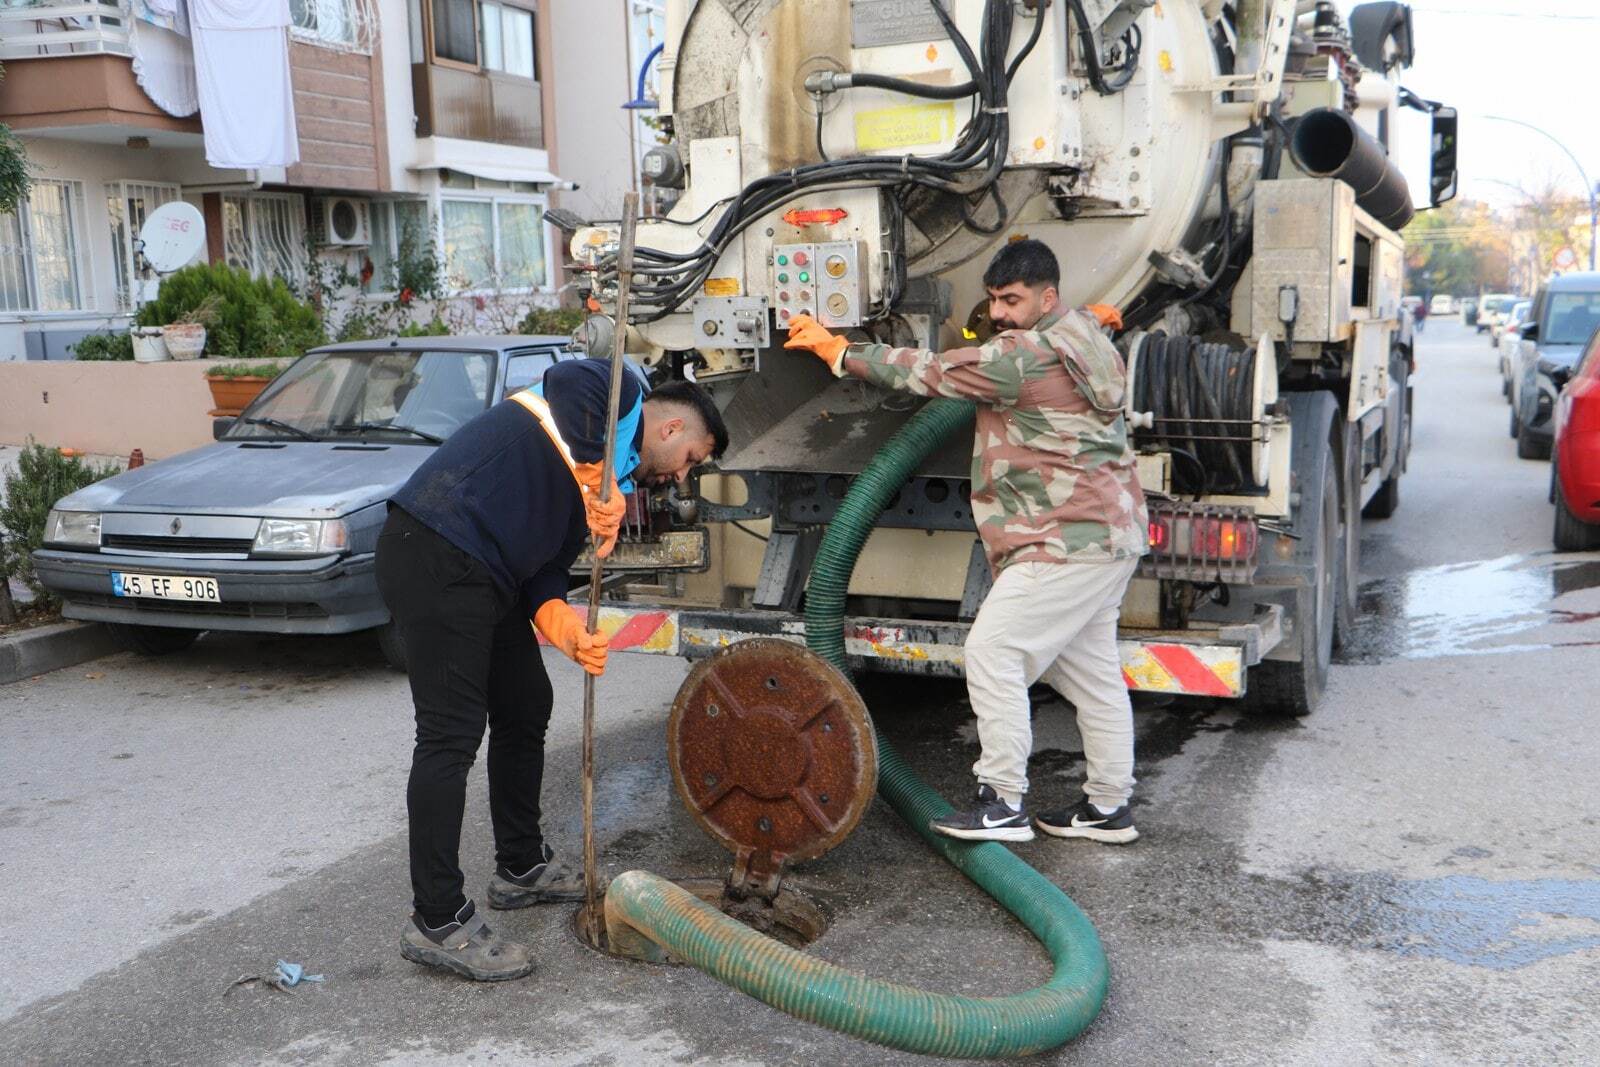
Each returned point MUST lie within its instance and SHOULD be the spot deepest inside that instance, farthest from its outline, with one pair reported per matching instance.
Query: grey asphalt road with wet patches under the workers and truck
(1406, 877)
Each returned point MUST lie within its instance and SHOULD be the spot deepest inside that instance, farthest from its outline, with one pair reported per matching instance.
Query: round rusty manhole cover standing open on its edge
(772, 753)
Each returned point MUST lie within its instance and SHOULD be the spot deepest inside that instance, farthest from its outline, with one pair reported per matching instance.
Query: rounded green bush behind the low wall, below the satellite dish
(249, 316)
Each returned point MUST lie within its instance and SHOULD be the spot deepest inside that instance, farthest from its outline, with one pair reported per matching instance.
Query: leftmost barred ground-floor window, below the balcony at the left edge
(39, 250)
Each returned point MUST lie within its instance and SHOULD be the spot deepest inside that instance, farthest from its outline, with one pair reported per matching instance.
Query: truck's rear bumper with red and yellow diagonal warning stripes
(1204, 661)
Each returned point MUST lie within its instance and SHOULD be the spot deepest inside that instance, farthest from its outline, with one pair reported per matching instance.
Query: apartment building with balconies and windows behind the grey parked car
(438, 119)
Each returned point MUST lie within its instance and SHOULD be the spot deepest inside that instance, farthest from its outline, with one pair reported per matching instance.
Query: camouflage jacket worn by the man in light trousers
(1054, 476)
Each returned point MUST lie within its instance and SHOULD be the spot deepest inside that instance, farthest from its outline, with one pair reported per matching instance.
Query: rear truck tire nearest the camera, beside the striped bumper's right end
(1290, 690)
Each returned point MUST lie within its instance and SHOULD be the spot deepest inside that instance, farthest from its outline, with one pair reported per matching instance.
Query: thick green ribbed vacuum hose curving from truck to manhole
(644, 908)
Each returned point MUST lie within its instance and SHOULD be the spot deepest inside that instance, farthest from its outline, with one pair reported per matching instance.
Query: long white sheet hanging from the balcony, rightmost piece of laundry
(242, 70)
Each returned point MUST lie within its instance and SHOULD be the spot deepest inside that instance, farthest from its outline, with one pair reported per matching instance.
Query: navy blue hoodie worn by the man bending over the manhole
(500, 492)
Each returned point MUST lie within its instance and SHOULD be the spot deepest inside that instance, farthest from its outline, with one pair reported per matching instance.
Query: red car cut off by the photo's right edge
(1575, 468)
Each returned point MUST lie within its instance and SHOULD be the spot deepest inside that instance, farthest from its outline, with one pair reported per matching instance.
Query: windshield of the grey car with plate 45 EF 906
(398, 396)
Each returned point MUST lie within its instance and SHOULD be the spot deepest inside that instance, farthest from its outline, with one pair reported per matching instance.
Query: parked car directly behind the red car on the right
(1566, 313)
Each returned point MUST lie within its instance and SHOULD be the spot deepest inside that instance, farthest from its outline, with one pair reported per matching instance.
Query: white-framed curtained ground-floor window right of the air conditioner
(495, 244)
